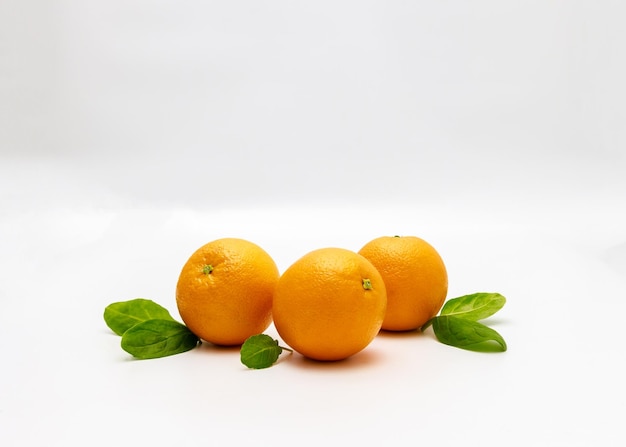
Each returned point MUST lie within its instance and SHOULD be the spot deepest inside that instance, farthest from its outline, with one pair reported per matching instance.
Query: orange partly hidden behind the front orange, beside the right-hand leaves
(415, 277)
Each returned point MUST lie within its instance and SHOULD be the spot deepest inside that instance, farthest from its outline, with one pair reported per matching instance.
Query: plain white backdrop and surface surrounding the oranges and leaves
(132, 132)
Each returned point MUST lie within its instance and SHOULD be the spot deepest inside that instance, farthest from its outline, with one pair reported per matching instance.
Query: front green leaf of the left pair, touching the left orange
(156, 338)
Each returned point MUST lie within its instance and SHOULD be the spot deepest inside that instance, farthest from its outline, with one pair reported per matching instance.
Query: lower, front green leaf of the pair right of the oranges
(467, 334)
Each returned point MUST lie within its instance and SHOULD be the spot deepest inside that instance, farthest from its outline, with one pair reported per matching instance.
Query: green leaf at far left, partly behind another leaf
(123, 315)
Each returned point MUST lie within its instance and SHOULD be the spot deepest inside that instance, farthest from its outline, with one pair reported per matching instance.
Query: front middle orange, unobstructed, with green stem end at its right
(329, 304)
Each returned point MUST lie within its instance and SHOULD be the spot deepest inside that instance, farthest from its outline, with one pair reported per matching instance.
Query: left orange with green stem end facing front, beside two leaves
(224, 291)
